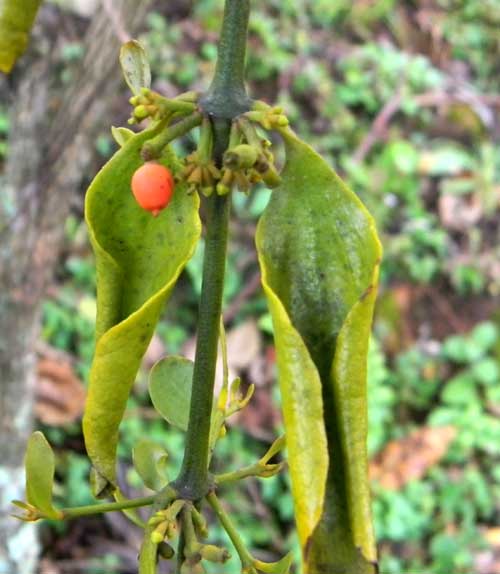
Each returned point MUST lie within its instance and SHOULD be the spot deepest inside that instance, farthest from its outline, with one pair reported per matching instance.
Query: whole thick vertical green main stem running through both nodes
(225, 99)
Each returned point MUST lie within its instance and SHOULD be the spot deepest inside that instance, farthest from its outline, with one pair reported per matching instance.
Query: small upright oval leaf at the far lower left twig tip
(40, 467)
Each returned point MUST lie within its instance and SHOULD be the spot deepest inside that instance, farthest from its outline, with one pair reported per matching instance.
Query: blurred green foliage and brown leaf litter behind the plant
(403, 98)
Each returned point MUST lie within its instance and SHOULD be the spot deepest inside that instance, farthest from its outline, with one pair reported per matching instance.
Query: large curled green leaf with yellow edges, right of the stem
(319, 255)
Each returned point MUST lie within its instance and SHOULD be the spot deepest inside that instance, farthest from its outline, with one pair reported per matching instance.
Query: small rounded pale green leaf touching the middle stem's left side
(170, 383)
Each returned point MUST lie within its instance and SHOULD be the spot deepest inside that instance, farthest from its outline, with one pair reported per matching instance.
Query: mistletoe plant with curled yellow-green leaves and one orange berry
(319, 254)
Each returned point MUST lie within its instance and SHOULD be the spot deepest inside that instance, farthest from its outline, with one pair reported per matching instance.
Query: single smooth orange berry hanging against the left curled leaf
(153, 187)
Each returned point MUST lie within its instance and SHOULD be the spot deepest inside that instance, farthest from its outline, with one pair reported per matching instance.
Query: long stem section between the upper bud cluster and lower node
(193, 480)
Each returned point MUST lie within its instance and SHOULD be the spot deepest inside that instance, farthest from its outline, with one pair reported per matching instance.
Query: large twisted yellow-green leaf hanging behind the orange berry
(138, 258)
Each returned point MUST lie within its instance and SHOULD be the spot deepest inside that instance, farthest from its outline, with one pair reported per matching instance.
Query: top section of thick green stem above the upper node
(227, 97)
